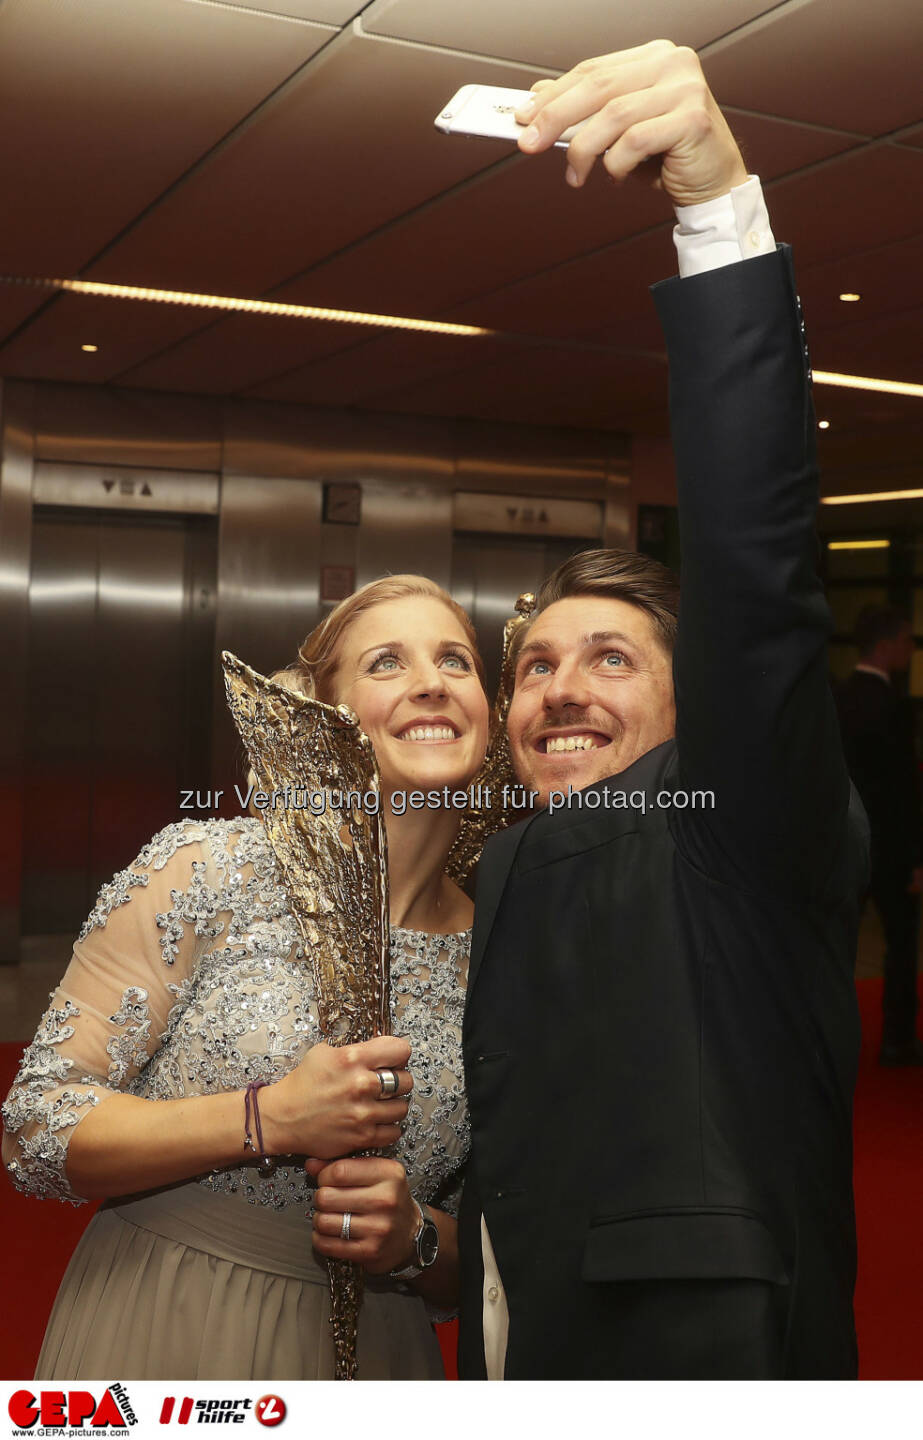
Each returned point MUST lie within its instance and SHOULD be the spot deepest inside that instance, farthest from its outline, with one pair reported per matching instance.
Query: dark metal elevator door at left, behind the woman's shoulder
(122, 623)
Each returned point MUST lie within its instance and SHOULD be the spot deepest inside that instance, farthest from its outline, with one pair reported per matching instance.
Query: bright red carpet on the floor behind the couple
(889, 1194)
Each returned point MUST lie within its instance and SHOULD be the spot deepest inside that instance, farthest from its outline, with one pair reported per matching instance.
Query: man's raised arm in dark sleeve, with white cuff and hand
(755, 721)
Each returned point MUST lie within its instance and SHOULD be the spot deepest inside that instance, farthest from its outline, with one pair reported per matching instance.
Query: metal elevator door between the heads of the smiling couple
(489, 577)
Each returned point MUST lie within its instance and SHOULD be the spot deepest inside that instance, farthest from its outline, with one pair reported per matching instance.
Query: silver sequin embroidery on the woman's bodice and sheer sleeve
(244, 1012)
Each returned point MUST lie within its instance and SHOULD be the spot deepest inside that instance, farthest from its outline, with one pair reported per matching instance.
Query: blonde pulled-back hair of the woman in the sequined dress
(315, 670)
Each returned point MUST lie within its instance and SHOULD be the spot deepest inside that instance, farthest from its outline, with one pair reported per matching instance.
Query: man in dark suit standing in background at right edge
(878, 738)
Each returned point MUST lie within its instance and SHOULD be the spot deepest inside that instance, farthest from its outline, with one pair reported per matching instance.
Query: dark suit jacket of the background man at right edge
(878, 738)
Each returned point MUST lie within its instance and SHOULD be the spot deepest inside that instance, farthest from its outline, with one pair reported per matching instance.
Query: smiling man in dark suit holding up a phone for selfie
(662, 1030)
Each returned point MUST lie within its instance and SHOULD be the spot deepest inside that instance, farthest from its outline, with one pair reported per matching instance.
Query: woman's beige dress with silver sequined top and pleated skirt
(189, 978)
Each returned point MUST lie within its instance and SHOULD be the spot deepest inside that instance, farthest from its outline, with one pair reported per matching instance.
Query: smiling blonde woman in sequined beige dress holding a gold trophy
(189, 981)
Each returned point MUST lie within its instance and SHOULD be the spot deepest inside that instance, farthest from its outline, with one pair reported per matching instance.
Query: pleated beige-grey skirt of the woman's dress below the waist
(195, 1285)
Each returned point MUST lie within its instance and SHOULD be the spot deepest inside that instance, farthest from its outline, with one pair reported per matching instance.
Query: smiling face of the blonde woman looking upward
(408, 672)
